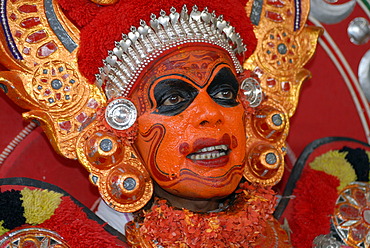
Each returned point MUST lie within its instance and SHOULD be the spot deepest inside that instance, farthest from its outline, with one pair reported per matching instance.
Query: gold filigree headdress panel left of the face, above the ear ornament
(40, 52)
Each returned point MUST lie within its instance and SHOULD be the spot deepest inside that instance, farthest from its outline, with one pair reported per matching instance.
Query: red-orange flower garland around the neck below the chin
(238, 226)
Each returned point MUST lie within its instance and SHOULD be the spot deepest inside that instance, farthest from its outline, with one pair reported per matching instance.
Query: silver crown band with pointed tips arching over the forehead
(143, 44)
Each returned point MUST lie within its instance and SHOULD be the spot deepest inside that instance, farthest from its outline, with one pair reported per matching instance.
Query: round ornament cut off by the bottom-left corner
(33, 237)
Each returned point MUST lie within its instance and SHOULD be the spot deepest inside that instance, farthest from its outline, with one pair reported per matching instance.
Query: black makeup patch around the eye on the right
(224, 88)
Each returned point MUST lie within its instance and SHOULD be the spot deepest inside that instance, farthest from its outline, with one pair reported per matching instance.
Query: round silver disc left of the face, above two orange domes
(121, 114)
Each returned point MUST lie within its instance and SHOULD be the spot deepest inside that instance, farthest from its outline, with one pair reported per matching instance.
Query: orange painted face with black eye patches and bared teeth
(191, 129)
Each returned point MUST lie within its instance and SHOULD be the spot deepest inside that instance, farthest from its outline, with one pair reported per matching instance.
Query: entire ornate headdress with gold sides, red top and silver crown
(56, 83)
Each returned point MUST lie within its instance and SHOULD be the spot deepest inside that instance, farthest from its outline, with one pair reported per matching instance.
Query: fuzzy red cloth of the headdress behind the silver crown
(102, 26)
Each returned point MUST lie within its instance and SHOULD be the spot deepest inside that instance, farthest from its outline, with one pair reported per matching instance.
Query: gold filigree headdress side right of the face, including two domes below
(284, 46)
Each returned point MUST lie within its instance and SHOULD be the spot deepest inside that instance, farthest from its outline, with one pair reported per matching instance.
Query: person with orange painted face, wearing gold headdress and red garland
(178, 110)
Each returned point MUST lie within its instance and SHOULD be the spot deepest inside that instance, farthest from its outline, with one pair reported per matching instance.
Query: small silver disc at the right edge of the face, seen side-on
(252, 91)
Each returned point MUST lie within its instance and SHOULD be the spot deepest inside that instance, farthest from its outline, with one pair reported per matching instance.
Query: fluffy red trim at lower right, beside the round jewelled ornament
(314, 204)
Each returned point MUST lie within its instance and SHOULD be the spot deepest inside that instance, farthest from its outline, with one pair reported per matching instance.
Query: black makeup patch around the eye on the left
(173, 96)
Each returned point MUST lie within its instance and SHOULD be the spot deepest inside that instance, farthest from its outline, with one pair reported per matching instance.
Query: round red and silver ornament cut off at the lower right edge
(352, 215)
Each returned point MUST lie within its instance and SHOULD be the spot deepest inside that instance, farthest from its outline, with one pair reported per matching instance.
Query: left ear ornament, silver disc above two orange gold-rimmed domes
(106, 150)
